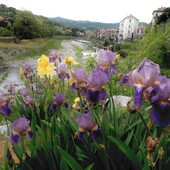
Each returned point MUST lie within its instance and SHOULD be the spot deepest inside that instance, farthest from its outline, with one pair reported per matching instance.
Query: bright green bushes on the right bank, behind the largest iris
(154, 46)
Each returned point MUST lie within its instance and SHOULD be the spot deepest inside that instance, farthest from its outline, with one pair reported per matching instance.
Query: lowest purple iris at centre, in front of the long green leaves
(87, 125)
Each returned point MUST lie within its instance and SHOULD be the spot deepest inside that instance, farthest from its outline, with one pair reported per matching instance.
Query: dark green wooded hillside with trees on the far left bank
(26, 25)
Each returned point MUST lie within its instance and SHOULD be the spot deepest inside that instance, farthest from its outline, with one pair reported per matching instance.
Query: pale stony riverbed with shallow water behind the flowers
(68, 48)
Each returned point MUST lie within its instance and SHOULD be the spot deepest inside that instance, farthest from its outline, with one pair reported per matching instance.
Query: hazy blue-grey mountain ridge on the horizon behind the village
(89, 24)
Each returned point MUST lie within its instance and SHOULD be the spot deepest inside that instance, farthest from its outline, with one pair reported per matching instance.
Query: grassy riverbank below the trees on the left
(31, 48)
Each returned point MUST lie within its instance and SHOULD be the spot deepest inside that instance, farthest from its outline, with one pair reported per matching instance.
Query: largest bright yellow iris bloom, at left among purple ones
(44, 66)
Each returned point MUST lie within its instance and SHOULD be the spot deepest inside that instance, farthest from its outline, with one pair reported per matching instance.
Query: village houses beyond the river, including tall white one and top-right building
(129, 28)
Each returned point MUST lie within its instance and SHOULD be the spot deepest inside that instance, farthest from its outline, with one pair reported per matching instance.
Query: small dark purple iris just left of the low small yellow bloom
(58, 101)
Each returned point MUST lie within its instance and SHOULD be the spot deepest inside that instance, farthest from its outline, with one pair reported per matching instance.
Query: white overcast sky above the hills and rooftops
(108, 11)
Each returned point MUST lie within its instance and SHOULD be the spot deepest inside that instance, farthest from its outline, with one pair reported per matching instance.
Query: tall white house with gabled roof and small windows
(128, 28)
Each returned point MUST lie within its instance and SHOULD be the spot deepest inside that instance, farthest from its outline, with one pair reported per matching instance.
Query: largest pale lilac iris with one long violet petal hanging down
(143, 77)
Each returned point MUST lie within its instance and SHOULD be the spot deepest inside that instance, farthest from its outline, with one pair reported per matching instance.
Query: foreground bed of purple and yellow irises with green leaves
(67, 117)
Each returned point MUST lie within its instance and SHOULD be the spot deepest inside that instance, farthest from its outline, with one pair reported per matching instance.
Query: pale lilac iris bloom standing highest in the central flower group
(106, 59)
